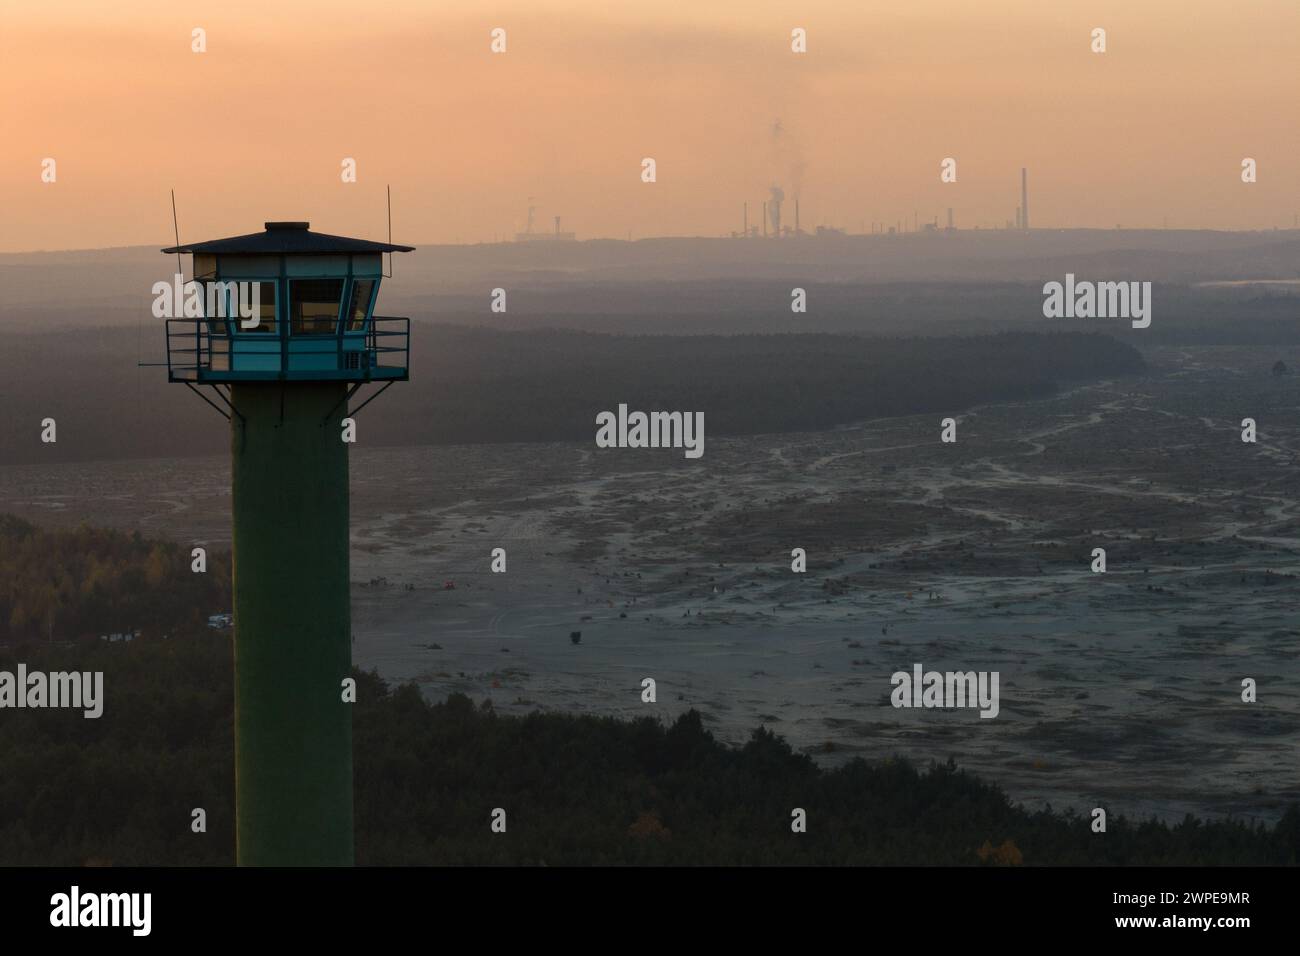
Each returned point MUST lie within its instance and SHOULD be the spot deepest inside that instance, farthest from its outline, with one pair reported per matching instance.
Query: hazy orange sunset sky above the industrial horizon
(257, 127)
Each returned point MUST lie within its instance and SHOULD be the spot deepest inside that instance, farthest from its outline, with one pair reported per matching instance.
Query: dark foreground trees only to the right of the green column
(586, 790)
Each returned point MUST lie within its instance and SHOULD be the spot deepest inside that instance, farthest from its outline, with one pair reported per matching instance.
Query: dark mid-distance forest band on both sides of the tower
(474, 386)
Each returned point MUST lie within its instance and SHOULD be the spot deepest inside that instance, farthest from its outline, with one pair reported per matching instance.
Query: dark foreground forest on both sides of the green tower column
(577, 790)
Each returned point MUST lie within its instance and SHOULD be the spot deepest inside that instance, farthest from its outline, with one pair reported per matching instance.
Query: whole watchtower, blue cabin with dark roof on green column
(285, 338)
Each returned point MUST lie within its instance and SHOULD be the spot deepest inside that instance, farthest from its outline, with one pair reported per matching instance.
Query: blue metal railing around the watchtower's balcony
(194, 353)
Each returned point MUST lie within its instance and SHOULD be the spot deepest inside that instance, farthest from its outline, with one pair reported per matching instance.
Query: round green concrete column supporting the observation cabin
(293, 625)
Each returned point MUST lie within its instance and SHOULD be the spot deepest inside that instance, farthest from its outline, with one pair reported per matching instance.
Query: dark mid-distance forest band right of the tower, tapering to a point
(486, 386)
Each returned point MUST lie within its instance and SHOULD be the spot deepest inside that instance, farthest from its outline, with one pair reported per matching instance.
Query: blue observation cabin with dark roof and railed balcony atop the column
(315, 312)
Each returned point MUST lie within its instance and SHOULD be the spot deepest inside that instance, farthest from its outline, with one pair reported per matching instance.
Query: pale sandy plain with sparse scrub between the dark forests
(1121, 690)
